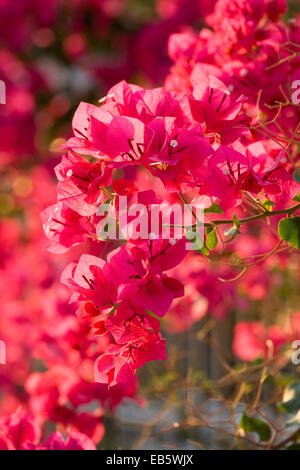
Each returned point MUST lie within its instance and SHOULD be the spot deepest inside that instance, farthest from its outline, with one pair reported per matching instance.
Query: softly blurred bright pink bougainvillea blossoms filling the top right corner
(250, 49)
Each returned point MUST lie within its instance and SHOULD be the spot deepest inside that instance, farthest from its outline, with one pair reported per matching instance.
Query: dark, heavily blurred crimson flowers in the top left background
(59, 51)
